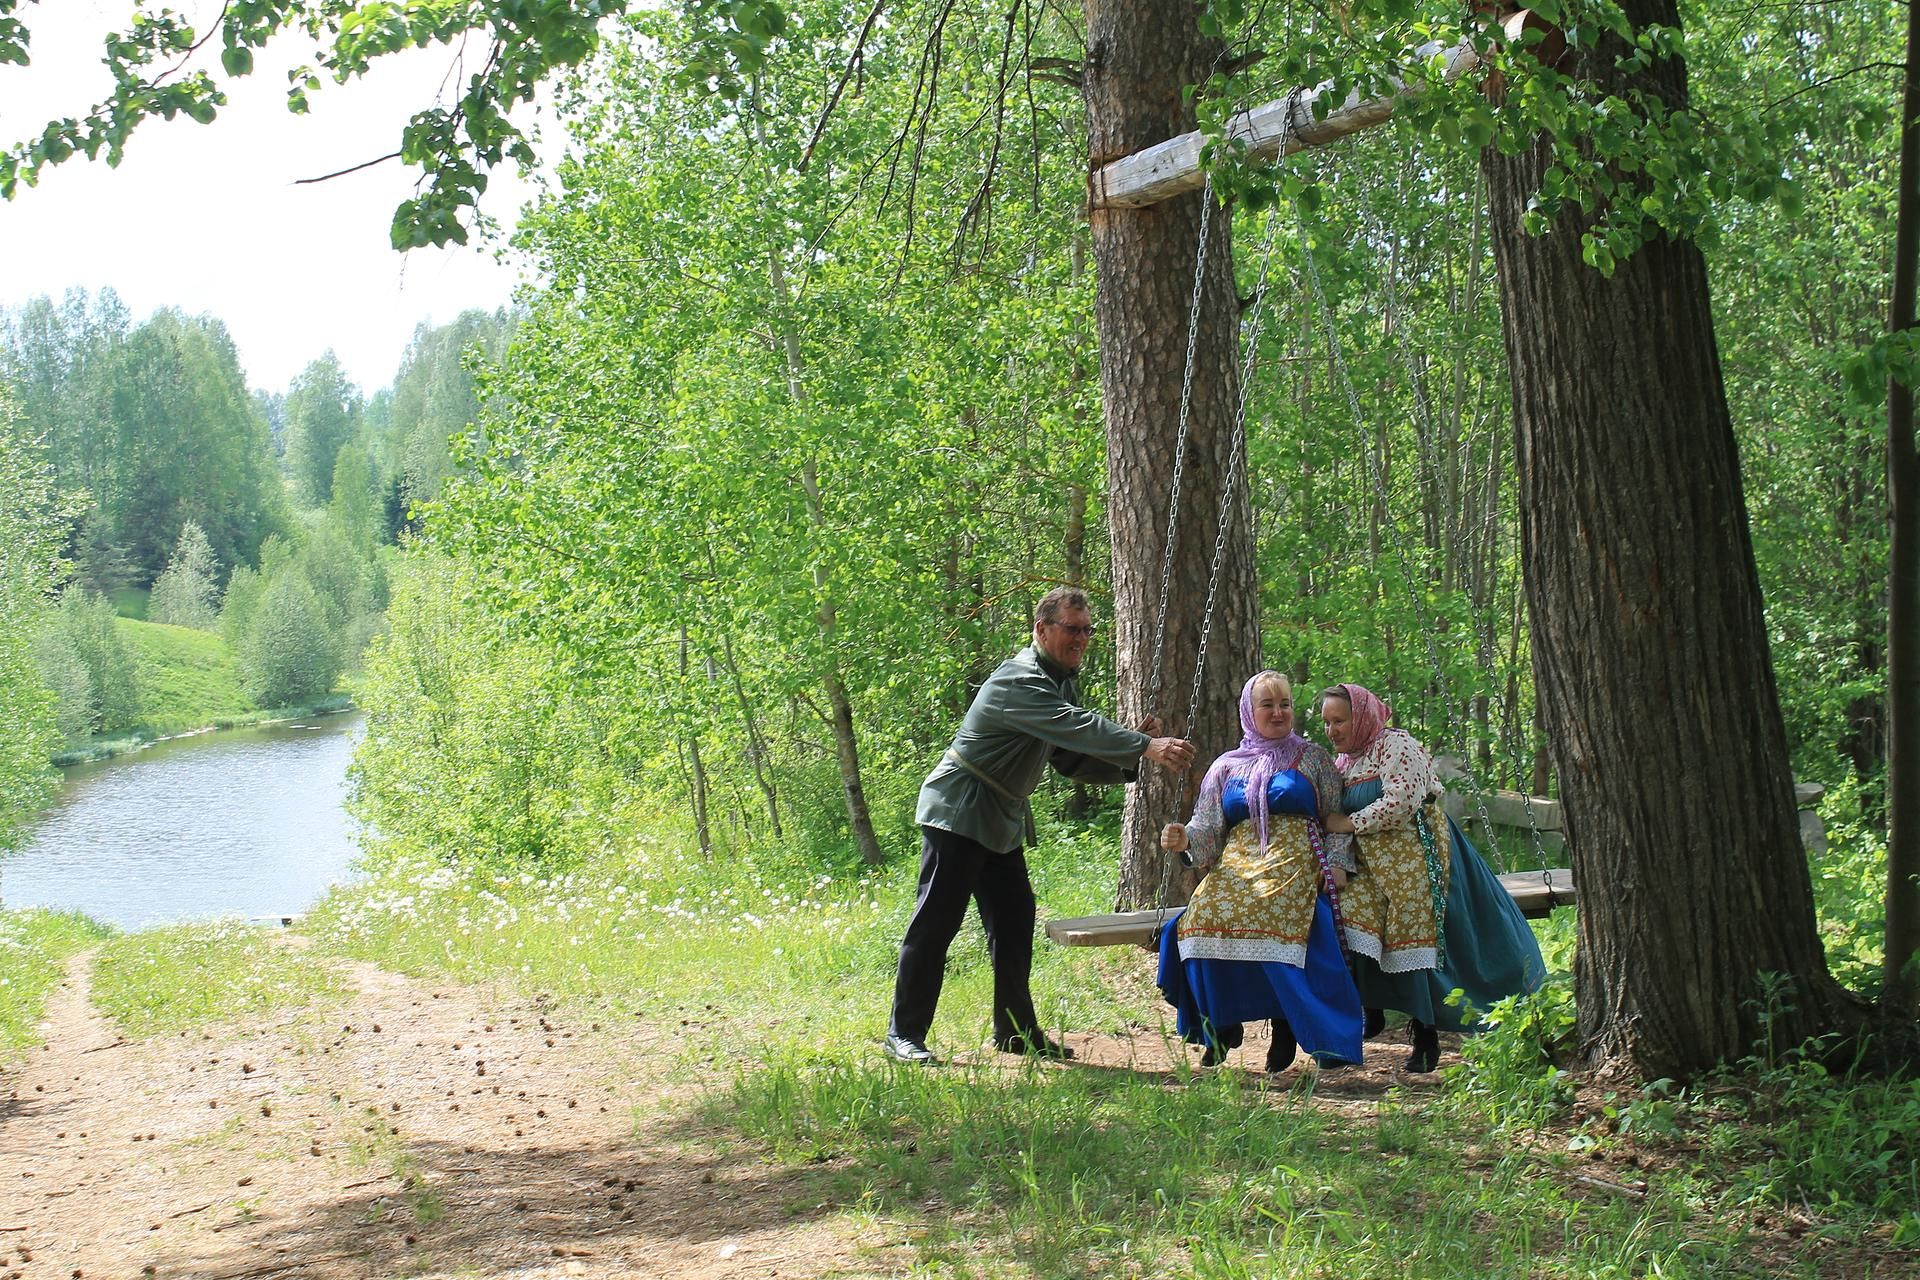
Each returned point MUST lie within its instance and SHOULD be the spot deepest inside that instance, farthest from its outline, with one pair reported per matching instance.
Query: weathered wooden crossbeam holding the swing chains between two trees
(1278, 130)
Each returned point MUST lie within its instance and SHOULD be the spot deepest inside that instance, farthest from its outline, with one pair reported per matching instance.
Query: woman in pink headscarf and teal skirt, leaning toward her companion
(1426, 916)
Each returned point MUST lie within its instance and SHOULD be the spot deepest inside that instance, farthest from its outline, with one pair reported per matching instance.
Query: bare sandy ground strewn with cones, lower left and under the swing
(427, 1129)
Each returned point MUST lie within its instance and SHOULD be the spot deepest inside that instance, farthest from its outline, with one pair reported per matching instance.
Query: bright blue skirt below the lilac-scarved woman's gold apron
(1318, 1003)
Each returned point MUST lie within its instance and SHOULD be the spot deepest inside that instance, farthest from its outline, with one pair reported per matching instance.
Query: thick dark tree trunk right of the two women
(1650, 648)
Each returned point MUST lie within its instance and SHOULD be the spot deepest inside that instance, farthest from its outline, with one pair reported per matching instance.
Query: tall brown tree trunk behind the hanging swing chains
(1141, 57)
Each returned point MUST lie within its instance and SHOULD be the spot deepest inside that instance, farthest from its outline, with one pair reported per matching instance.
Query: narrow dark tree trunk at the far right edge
(1902, 984)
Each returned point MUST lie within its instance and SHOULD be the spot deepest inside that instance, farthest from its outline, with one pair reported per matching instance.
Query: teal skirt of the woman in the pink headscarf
(1491, 953)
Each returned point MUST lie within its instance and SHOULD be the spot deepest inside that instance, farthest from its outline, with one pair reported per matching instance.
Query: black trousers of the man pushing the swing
(955, 870)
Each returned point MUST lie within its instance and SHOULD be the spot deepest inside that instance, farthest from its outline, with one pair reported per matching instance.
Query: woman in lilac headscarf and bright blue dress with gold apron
(1260, 936)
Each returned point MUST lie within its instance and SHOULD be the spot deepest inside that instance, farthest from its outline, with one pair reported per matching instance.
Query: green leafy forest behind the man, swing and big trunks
(805, 415)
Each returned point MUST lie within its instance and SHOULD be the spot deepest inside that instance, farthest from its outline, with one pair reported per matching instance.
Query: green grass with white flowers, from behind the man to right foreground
(775, 989)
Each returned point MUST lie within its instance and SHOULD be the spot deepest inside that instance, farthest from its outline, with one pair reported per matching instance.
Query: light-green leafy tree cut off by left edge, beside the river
(30, 565)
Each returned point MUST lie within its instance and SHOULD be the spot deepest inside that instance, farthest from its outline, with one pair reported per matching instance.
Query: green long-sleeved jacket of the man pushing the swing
(1024, 719)
